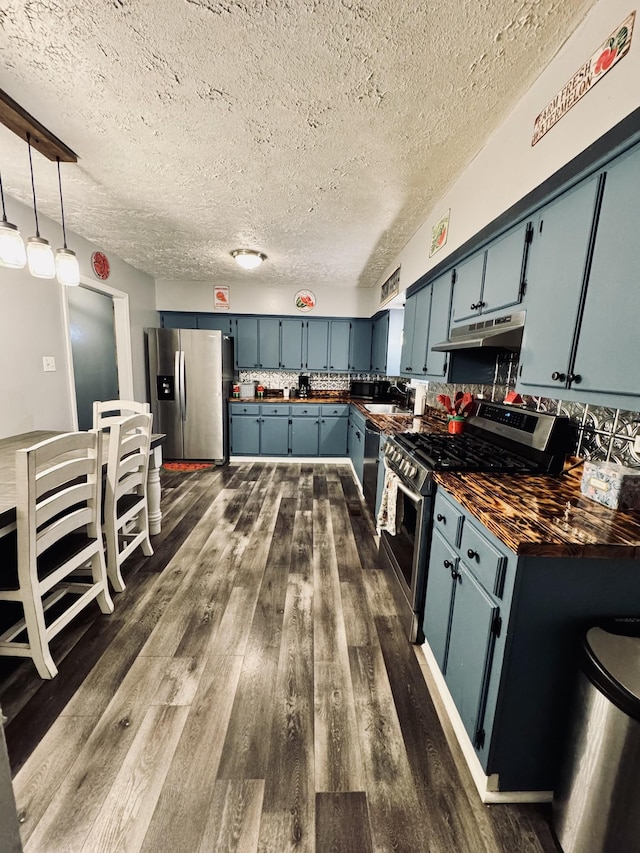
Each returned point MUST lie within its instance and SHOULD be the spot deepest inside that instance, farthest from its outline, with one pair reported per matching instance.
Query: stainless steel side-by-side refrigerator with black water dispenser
(190, 383)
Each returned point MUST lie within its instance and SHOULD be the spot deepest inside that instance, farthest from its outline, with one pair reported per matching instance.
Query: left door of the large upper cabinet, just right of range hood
(557, 263)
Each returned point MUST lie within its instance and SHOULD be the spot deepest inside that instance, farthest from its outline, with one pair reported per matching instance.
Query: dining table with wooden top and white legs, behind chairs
(9, 446)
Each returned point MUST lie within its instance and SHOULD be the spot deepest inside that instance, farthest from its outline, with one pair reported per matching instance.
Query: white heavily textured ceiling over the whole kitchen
(320, 132)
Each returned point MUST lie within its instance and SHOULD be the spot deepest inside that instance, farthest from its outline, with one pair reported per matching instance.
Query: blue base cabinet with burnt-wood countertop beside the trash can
(504, 617)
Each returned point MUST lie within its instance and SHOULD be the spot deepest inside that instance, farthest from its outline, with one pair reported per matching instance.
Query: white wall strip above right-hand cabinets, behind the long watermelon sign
(509, 167)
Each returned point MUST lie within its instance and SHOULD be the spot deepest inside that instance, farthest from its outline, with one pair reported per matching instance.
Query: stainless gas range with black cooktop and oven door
(498, 439)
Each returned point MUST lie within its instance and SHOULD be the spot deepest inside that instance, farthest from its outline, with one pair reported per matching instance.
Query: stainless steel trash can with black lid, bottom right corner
(596, 806)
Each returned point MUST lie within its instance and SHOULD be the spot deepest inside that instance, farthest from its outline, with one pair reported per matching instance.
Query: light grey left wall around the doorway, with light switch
(31, 311)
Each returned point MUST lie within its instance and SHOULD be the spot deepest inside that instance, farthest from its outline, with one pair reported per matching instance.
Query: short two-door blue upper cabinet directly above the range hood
(494, 279)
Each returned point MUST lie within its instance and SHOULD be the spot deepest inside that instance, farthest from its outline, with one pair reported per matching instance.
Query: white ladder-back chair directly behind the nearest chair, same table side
(126, 516)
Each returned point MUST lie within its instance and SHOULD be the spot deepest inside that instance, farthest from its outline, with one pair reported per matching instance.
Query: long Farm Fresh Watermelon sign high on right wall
(608, 54)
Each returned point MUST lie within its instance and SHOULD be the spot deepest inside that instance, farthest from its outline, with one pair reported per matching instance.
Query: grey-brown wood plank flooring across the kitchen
(252, 691)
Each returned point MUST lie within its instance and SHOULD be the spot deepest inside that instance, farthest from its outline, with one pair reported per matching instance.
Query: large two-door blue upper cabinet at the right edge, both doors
(580, 335)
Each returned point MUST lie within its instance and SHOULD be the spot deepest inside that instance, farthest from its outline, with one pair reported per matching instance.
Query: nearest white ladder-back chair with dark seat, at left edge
(59, 489)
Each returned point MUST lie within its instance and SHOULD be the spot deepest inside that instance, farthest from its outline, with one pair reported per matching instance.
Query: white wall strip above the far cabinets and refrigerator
(263, 299)
